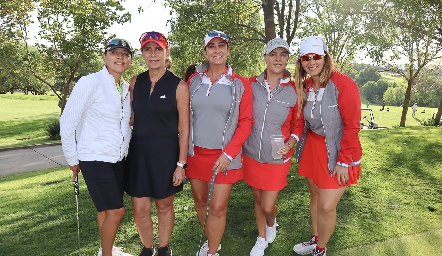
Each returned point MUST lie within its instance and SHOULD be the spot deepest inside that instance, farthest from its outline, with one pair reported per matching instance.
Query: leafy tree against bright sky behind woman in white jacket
(71, 35)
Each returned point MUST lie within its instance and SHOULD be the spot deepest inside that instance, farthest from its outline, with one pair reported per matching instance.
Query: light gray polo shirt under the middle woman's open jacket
(211, 105)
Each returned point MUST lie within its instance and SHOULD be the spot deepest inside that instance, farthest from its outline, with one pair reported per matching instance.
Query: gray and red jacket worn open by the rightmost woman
(340, 115)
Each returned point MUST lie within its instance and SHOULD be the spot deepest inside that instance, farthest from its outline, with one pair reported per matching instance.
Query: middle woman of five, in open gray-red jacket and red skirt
(220, 122)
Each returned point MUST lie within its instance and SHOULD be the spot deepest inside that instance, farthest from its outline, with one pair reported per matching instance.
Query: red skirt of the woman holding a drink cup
(270, 177)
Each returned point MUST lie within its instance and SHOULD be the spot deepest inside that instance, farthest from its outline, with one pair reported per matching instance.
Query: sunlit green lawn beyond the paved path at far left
(24, 119)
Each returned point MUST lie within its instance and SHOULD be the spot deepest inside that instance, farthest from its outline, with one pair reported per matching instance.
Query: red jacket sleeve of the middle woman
(245, 121)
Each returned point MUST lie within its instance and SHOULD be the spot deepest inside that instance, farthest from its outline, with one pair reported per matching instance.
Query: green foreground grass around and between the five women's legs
(396, 209)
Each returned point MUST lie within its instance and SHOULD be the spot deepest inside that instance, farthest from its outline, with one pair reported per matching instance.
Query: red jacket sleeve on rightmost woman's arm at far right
(349, 103)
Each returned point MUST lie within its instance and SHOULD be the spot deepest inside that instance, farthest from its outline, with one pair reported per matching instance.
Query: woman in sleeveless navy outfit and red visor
(158, 150)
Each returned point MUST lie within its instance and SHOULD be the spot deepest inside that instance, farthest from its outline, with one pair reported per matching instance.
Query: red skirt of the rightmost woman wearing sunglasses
(313, 164)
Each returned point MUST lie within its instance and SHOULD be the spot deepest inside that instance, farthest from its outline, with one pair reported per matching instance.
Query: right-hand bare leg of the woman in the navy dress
(166, 217)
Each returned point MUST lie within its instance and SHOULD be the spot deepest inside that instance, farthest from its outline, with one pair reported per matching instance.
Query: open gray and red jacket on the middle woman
(239, 123)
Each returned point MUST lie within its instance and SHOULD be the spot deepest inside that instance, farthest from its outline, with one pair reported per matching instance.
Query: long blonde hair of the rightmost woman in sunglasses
(301, 76)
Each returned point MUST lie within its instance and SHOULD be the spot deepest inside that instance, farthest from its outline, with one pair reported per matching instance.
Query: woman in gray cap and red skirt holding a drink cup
(274, 115)
